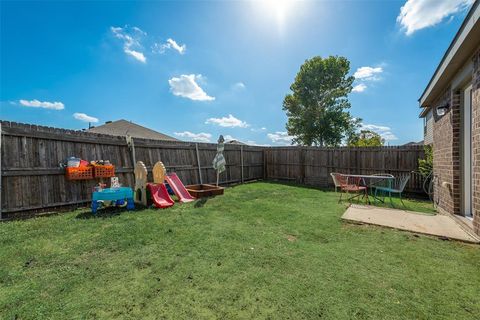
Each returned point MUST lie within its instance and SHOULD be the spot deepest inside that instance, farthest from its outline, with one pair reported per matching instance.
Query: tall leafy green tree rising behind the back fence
(317, 107)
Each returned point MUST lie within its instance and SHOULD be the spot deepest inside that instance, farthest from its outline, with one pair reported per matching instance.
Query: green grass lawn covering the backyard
(262, 250)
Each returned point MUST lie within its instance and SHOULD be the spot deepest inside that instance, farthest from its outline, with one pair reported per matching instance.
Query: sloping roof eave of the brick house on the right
(460, 50)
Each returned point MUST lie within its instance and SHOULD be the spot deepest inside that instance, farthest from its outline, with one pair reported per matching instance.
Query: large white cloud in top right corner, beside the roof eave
(419, 14)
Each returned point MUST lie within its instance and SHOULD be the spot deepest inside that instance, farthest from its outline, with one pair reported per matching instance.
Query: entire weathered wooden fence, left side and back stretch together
(32, 178)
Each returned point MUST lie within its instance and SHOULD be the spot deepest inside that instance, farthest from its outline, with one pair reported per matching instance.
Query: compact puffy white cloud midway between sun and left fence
(187, 87)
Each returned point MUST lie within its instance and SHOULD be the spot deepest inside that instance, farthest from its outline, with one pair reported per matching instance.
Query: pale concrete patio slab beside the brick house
(434, 225)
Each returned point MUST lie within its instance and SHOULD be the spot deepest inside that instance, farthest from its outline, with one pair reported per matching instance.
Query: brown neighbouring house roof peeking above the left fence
(124, 127)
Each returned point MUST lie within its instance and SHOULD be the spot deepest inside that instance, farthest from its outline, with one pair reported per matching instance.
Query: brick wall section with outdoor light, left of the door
(446, 158)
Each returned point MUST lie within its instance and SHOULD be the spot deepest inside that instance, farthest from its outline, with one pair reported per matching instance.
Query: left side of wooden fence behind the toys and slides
(32, 178)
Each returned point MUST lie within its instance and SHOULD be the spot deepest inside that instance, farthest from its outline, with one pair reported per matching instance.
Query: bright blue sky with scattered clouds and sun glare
(197, 69)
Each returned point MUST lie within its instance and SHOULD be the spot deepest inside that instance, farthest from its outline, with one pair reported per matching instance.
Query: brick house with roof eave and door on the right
(451, 108)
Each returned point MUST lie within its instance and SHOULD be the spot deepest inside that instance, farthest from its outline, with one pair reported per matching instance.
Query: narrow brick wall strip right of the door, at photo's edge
(476, 140)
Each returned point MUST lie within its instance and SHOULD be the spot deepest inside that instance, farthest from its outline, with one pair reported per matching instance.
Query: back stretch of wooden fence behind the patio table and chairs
(312, 166)
